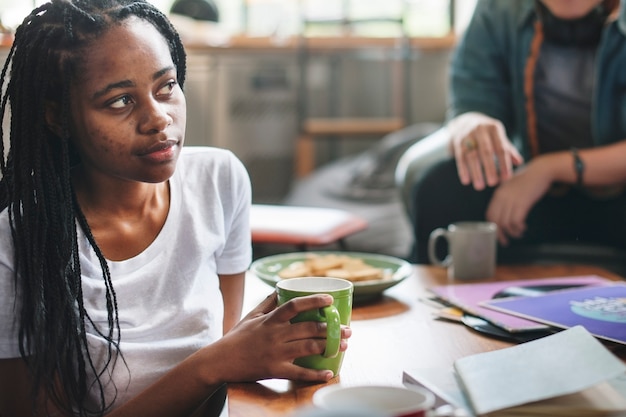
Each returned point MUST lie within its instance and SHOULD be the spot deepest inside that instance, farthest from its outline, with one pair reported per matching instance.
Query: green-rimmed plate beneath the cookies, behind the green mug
(267, 270)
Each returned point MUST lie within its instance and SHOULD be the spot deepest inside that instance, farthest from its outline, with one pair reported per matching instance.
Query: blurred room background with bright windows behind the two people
(314, 96)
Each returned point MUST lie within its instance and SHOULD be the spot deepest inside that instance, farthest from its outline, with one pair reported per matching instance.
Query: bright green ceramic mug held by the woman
(334, 315)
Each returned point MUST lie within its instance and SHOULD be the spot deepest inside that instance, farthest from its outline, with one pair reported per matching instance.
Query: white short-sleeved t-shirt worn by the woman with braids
(168, 296)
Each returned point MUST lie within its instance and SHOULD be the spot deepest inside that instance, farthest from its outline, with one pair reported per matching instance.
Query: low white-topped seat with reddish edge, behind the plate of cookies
(303, 227)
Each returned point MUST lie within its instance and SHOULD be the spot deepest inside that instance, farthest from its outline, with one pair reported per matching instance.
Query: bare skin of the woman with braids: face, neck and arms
(128, 118)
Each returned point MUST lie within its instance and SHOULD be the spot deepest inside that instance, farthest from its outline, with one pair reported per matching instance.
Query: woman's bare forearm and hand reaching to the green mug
(261, 346)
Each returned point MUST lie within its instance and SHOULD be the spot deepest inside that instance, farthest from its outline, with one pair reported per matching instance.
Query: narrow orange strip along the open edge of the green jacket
(529, 88)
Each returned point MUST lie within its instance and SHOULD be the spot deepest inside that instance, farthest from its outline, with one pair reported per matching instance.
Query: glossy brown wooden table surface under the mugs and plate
(390, 335)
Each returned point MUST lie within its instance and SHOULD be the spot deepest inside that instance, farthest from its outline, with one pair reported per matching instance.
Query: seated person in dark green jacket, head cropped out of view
(534, 136)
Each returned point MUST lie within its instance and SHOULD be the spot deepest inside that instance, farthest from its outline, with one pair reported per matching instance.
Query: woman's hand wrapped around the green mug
(265, 343)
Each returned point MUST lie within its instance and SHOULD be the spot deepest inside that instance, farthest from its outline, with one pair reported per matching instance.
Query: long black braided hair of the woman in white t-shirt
(36, 190)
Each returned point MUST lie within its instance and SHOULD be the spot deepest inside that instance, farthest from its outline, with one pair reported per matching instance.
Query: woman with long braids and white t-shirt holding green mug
(122, 255)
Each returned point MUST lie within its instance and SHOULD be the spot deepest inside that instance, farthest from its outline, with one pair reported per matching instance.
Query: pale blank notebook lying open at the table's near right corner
(568, 373)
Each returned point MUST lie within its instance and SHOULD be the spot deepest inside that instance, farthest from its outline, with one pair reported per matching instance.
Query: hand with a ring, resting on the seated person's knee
(484, 154)
